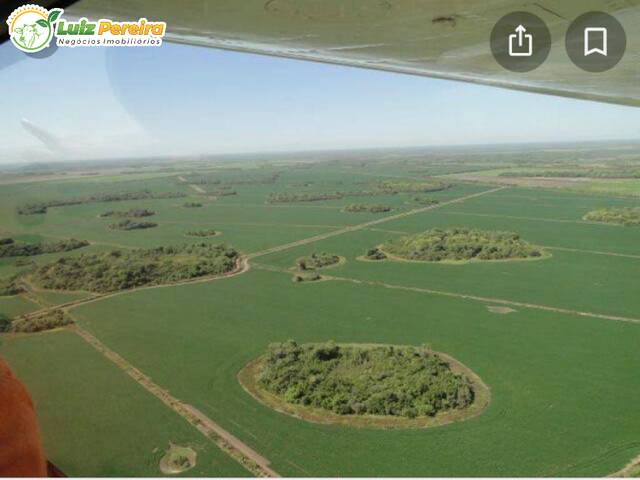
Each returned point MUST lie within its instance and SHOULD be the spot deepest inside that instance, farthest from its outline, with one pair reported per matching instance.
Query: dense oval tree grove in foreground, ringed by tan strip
(361, 380)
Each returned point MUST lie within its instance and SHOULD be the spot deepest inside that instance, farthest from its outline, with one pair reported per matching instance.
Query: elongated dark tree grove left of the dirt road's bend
(121, 270)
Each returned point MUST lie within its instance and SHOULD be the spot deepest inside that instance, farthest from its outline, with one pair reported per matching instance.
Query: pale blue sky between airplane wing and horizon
(182, 100)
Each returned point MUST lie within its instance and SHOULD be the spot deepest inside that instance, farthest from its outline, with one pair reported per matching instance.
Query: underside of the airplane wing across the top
(435, 38)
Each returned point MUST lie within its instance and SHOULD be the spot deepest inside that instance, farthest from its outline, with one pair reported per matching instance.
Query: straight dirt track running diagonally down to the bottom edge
(226, 441)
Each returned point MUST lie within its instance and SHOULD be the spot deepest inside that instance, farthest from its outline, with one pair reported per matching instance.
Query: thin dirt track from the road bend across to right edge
(464, 296)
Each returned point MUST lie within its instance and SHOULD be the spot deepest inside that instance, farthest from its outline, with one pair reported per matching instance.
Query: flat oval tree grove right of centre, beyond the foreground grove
(461, 244)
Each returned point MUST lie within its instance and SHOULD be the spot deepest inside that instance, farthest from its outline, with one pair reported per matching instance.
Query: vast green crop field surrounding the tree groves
(554, 338)
